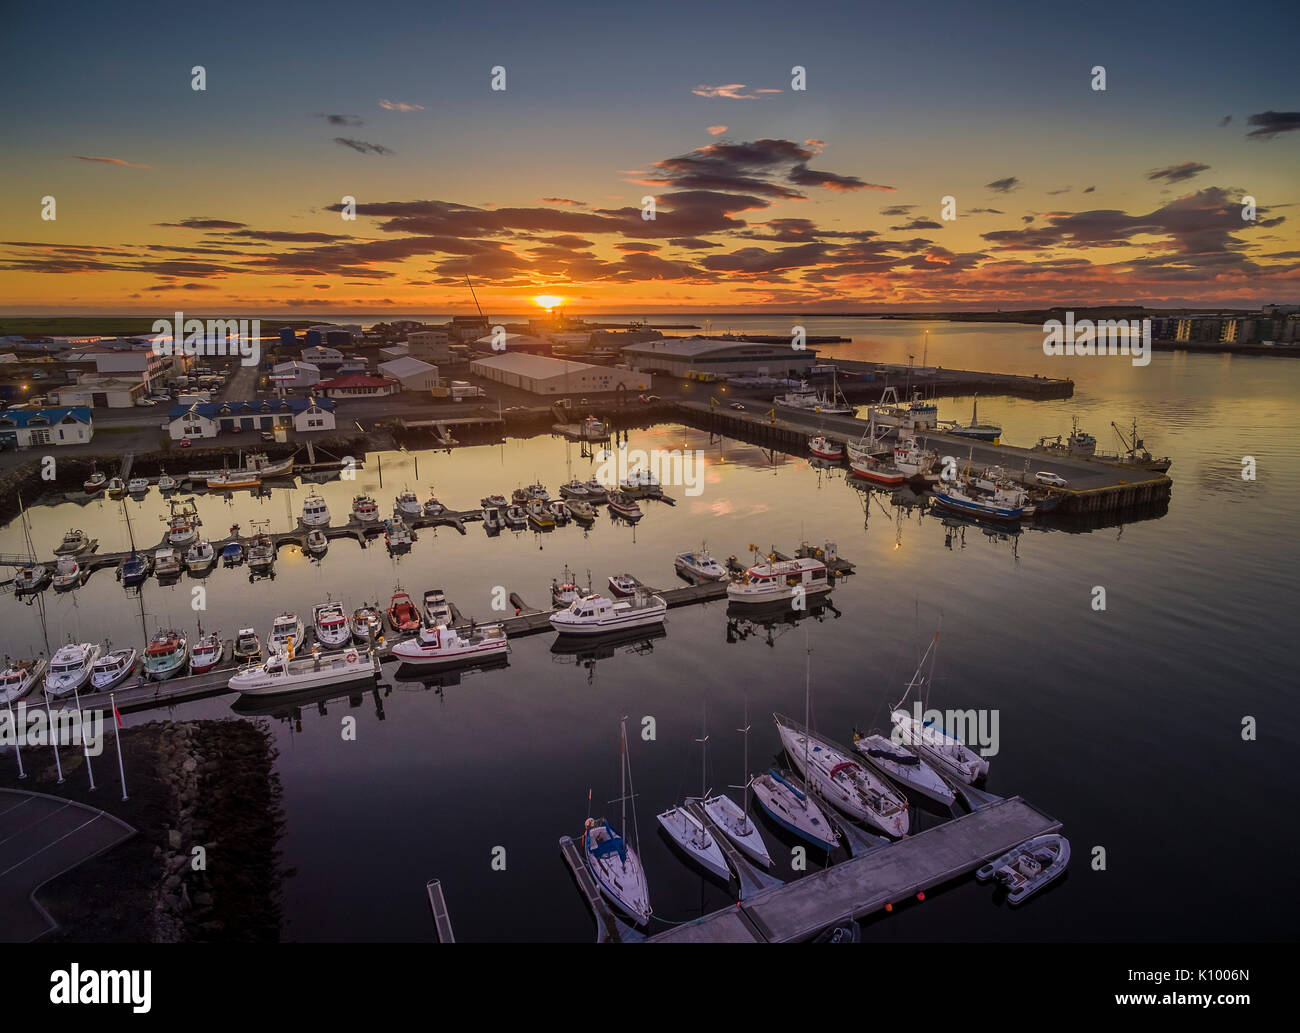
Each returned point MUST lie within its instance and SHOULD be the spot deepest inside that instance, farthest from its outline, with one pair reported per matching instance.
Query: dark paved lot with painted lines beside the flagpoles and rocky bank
(42, 837)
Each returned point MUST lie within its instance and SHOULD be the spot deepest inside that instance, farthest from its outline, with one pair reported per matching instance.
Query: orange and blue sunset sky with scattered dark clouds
(765, 196)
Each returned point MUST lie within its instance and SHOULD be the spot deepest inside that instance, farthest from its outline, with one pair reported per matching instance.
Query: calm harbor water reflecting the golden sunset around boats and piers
(1125, 724)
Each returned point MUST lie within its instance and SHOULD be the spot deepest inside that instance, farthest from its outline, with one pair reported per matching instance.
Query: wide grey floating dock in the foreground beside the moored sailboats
(864, 886)
